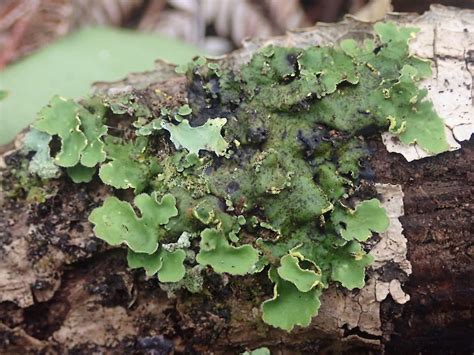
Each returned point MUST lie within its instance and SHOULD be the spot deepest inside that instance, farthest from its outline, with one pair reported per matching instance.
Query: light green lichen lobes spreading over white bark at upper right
(403, 103)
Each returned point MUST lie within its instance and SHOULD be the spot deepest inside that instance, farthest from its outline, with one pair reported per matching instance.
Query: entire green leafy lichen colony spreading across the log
(258, 172)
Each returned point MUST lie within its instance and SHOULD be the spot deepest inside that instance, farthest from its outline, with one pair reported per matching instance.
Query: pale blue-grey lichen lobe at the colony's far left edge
(41, 163)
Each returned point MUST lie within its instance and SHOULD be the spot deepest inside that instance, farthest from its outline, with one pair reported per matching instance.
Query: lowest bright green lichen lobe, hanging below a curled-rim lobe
(289, 306)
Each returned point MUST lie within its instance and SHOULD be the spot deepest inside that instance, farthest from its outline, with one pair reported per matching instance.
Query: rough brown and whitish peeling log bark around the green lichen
(62, 290)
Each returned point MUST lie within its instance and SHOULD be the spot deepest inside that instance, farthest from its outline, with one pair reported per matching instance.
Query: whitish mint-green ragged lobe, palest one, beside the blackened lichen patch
(206, 137)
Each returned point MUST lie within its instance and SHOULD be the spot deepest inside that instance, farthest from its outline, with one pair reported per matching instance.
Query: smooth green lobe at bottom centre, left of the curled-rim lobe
(222, 257)
